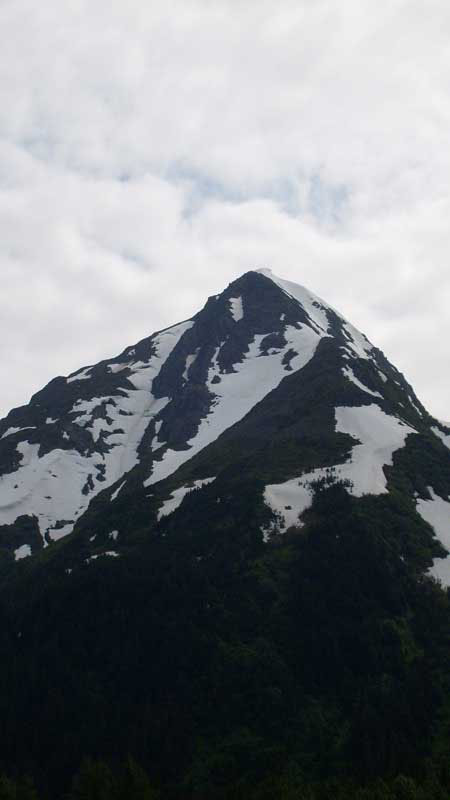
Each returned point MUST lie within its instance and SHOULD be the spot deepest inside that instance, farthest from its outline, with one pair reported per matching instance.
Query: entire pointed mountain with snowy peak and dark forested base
(223, 553)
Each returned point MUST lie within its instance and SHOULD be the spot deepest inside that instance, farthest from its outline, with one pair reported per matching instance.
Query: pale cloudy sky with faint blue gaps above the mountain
(151, 152)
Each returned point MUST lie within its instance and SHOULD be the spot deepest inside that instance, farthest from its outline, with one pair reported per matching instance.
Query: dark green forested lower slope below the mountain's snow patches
(313, 666)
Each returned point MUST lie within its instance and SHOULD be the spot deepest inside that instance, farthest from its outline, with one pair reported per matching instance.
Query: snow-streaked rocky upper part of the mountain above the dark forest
(266, 385)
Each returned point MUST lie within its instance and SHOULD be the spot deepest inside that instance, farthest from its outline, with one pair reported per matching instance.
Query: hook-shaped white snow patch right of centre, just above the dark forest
(379, 436)
